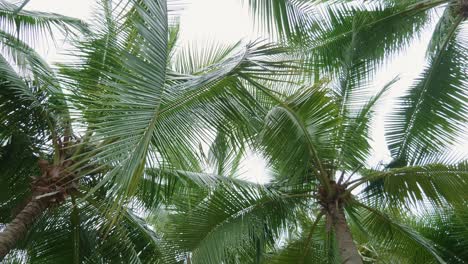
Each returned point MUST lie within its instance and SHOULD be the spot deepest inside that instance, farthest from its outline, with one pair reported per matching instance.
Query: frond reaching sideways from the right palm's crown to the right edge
(414, 185)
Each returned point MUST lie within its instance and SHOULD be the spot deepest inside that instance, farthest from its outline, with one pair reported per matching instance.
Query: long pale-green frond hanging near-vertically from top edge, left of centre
(134, 146)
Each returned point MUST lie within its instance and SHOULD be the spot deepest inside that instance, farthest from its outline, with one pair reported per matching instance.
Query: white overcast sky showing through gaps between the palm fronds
(228, 21)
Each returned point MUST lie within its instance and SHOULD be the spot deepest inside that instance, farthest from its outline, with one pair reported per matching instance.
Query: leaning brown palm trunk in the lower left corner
(18, 228)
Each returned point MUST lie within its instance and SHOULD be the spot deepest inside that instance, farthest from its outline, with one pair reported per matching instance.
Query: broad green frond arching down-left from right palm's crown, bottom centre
(248, 215)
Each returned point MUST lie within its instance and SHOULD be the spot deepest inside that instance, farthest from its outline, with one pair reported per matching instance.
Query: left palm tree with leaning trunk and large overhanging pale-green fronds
(128, 107)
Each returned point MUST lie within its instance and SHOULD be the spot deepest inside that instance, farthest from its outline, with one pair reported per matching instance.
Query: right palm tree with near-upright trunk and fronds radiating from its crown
(304, 216)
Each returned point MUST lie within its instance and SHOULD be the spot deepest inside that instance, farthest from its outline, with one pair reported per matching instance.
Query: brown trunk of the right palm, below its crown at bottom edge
(347, 249)
